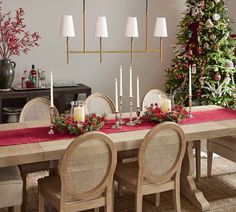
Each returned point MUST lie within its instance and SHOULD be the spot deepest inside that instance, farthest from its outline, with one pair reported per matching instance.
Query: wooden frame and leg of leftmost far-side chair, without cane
(40, 166)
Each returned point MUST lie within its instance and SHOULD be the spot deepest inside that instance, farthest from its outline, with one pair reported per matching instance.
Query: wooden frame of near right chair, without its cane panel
(146, 183)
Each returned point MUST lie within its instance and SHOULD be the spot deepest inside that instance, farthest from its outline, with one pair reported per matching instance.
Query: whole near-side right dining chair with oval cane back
(158, 166)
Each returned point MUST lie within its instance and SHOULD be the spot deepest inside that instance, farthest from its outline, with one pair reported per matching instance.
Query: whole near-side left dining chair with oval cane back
(86, 176)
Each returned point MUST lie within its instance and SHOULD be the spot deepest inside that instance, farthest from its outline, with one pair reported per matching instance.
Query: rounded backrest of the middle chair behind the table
(99, 103)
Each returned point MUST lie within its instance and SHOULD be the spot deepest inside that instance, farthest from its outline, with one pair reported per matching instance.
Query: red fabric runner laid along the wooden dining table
(40, 134)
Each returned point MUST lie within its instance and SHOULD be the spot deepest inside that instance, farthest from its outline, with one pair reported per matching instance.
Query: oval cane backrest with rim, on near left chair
(88, 166)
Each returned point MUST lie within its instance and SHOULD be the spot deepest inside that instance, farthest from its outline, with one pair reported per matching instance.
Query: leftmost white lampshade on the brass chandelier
(67, 26)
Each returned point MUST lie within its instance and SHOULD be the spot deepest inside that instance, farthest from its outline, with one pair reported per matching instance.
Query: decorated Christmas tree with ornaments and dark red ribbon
(205, 45)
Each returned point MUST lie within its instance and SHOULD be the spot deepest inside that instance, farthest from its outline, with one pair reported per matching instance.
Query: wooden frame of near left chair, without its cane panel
(100, 196)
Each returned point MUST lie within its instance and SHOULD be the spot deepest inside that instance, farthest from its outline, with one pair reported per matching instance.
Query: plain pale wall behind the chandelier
(44, 16)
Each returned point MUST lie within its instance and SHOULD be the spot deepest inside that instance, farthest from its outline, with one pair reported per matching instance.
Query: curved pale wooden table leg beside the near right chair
(188, 186)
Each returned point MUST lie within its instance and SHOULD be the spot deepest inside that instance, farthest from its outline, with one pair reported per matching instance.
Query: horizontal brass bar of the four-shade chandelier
(114, 51)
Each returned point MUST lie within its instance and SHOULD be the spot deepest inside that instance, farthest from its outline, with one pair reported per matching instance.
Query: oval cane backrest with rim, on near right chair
(161, 152)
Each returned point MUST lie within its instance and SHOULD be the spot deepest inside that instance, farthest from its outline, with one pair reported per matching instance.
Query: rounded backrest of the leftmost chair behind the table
(36, 109)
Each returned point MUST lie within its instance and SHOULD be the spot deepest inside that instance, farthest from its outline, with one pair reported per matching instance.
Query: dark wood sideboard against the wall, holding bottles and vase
(17, 98)
